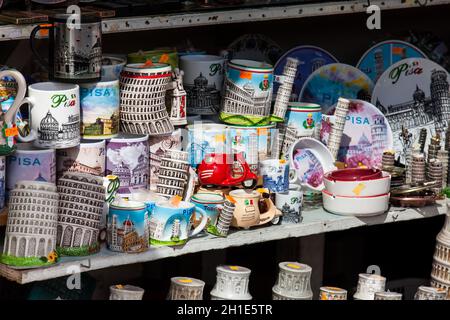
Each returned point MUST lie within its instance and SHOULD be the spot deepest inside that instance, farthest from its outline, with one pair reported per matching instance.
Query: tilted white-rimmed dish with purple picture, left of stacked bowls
(311, 160)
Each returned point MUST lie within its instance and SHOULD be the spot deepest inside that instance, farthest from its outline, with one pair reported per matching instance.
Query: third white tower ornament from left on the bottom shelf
(231, 284)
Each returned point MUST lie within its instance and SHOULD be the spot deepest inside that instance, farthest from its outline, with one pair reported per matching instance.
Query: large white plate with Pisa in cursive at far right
(413, 94)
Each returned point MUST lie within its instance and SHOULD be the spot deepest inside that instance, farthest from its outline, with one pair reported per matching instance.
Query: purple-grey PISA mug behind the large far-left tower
(30, 163)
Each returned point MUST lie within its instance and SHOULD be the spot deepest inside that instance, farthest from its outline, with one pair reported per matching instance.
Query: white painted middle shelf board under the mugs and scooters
(315, 221)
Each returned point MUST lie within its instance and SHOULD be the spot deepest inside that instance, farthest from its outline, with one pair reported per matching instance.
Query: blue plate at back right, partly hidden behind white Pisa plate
(384, 54)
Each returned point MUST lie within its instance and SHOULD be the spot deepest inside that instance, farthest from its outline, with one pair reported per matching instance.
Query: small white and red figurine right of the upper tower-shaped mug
(177, 98)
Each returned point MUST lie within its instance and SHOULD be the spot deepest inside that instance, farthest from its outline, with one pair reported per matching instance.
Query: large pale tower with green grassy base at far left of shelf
(30, 237)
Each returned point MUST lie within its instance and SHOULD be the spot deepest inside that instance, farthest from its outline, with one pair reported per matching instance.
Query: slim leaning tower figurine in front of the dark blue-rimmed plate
(285, 89)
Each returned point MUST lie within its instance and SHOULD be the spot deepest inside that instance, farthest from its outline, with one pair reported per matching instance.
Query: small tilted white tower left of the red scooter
(173, 173)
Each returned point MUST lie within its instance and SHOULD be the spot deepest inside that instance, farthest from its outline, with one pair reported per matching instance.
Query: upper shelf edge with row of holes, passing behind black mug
(170, 21)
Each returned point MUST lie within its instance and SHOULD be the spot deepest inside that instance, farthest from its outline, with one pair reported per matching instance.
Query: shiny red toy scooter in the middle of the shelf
(217, 169)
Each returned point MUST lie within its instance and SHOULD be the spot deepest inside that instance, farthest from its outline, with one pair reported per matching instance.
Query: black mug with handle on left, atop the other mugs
(75, 48)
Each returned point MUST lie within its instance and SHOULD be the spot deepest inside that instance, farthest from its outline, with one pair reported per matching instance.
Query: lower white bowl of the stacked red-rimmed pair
(355, 206)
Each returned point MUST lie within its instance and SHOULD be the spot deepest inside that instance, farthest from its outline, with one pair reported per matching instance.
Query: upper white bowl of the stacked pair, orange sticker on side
(358, 188)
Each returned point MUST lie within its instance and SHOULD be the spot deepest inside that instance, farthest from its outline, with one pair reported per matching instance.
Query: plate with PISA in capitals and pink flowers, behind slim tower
(367, 134)
